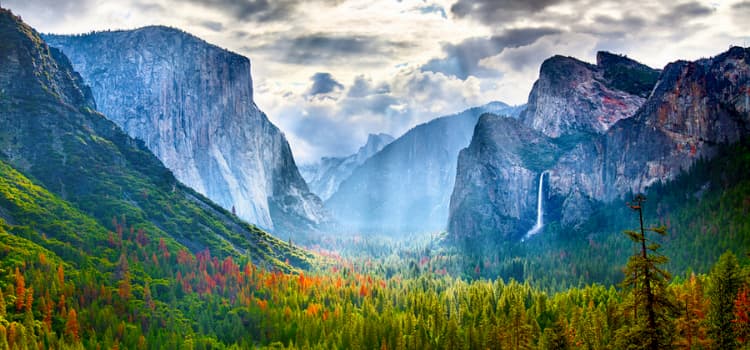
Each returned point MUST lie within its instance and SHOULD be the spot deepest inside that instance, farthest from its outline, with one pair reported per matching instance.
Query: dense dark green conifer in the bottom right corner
(724, 285)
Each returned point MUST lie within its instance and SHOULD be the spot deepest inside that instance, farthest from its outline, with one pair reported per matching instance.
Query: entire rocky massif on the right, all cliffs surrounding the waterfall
(692, 109)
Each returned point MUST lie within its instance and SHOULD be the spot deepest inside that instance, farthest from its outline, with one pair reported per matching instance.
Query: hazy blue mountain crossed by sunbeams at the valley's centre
(406, 186)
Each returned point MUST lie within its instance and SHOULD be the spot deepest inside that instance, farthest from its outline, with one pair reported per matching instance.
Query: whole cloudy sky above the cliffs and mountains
(329, 72)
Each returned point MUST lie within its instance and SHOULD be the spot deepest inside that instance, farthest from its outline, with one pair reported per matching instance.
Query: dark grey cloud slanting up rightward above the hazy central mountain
(462, 60)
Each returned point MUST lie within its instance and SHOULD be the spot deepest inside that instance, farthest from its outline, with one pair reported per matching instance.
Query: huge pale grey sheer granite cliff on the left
(192, 104)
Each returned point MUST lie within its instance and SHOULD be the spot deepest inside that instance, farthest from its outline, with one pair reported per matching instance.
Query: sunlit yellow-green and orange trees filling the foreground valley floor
(203, 302)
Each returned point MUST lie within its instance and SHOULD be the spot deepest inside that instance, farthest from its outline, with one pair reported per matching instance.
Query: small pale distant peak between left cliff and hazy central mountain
(325, 176)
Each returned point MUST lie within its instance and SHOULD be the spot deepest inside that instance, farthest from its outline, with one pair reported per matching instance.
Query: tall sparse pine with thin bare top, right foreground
(652, 326)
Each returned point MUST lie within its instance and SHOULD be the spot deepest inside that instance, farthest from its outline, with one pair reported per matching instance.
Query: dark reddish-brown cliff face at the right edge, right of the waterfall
(695, 107)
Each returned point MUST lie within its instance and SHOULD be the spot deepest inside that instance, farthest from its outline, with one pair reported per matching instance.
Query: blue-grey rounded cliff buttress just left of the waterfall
(495, 176)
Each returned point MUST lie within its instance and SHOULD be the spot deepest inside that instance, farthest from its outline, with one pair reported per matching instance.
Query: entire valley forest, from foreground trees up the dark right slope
(135, 290)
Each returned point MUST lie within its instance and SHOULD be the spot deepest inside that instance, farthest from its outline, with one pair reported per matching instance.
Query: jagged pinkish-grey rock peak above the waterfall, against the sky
(571, 96)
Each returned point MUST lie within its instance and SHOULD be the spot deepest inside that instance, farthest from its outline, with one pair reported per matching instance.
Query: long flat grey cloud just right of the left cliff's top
(319, 48)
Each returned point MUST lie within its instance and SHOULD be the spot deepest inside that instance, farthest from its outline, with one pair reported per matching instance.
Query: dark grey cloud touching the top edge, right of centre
(492, 12)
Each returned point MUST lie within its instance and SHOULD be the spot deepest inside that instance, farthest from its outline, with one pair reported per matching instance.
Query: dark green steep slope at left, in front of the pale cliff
(69, 174)
